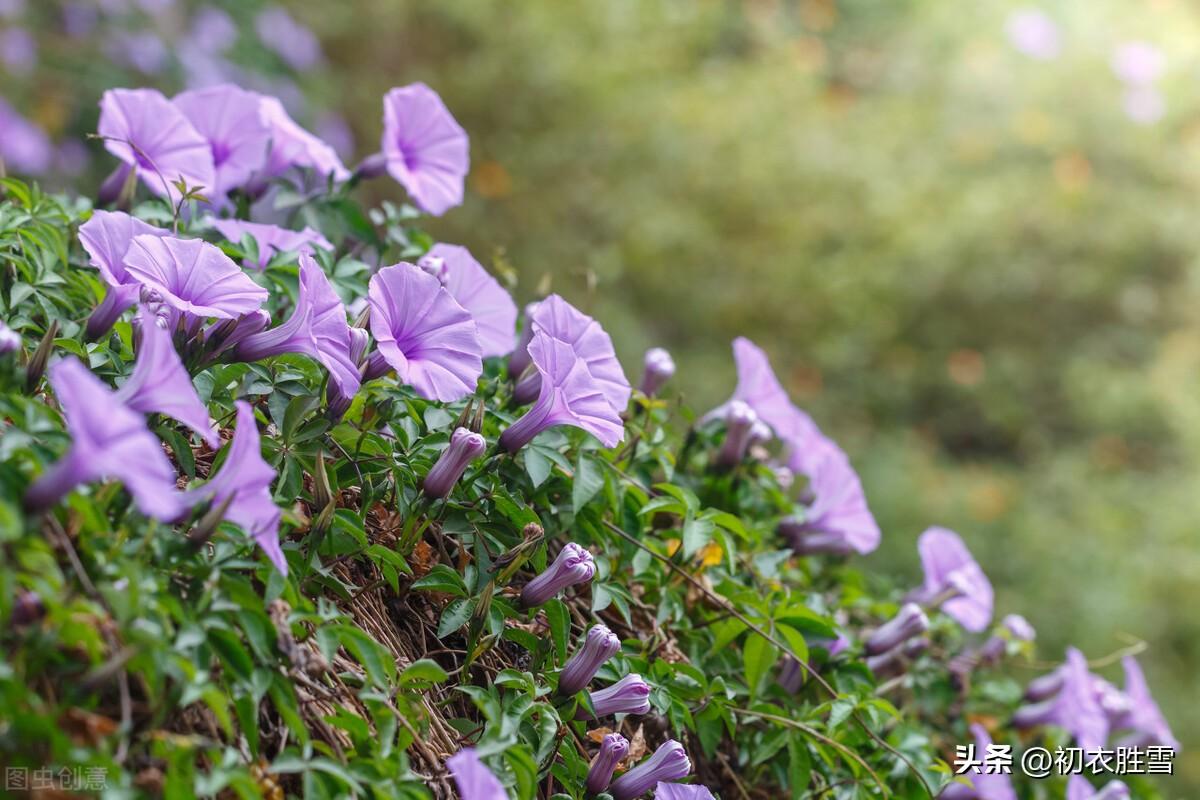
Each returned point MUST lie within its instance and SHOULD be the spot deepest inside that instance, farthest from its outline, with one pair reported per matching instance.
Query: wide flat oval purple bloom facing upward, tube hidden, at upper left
(193, 276)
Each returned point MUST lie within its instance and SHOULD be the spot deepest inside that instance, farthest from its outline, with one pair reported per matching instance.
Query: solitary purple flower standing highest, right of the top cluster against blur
(427, 151)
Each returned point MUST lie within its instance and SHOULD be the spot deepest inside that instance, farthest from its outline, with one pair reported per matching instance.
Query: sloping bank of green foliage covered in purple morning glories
(298, 502)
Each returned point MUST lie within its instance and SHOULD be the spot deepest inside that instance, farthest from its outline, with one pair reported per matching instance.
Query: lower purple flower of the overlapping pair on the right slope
(839, 521)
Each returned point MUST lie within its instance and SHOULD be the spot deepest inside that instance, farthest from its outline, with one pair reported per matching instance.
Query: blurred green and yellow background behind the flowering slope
(967, 233)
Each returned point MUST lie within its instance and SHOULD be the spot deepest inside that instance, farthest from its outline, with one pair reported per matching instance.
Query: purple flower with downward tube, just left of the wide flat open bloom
(107, 238)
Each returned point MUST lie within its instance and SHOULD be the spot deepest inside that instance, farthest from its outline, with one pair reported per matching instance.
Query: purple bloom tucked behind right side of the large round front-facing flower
(479, 293)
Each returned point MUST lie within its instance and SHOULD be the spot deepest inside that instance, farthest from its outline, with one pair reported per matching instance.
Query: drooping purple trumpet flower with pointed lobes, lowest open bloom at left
(245, 480)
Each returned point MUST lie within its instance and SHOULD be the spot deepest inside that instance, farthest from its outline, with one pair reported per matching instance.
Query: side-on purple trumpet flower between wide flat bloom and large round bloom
(317, 329)
